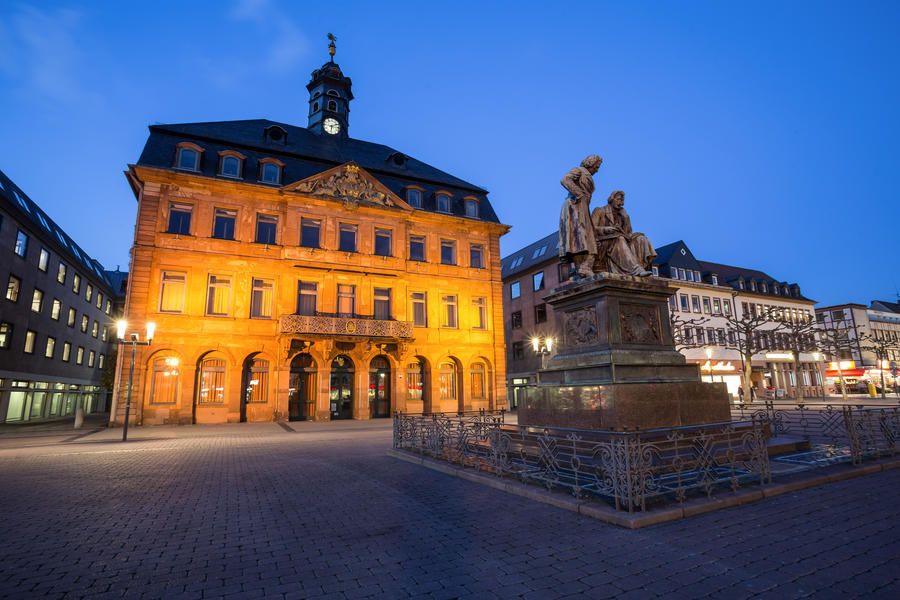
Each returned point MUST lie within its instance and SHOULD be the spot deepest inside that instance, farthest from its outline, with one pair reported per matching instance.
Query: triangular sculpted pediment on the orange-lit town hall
(348, 184)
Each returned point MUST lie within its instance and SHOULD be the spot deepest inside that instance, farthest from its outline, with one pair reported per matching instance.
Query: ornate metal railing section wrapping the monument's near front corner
(628, 469)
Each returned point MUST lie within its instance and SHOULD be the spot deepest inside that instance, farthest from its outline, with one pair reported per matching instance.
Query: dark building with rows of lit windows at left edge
(56, 316)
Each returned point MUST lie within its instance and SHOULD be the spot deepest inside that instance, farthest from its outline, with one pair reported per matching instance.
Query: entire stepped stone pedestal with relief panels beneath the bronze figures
(616, 365)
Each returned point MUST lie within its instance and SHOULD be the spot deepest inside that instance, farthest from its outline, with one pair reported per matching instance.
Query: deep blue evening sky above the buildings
(763, 134)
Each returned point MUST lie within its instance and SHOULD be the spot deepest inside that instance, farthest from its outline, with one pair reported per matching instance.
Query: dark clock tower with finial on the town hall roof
(329, 99)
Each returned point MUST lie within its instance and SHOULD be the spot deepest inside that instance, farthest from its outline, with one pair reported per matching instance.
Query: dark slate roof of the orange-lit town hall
(305, 154)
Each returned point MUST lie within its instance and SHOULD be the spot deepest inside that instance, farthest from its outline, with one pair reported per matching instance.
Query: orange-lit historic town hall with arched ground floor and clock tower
(298, 273)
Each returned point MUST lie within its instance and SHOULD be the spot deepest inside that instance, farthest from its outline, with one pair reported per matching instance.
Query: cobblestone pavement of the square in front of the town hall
(254, 510)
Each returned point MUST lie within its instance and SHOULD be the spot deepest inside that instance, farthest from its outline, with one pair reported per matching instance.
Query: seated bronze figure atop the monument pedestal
(619, 250)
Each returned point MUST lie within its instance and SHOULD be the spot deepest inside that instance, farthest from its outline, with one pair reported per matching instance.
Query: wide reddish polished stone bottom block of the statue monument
(622, 406)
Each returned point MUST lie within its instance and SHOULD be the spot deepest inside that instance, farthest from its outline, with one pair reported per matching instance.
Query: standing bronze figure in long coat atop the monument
(577, 242)
